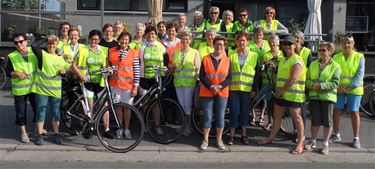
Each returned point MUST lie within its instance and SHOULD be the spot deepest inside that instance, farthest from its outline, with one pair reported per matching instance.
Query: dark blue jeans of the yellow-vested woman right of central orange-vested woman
(239, 108)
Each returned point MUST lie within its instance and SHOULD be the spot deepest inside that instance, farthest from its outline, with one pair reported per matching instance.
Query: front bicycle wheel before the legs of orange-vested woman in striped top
(123, 141)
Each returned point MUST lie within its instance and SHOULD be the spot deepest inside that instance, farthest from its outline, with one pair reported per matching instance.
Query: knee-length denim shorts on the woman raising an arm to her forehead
(42, 103)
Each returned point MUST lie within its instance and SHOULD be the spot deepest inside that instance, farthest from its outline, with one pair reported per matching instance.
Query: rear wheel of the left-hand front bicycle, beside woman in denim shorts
(72, 116)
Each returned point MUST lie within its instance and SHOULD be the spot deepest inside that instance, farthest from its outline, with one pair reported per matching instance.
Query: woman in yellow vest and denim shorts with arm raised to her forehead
(47, 85)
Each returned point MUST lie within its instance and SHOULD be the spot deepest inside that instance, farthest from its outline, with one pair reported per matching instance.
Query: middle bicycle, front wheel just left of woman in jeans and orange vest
(160, 111)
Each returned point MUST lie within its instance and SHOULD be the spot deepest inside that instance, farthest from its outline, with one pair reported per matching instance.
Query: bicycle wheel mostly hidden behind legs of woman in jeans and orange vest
(197, 117)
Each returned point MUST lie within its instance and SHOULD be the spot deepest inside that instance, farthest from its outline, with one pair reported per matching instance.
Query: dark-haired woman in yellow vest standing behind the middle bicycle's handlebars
(152, 53)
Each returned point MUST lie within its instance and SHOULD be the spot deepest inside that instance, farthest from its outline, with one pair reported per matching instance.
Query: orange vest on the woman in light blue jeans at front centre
(215, 76)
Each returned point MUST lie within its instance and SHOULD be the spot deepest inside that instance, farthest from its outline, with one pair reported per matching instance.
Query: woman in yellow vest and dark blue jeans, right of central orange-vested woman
(243, 87)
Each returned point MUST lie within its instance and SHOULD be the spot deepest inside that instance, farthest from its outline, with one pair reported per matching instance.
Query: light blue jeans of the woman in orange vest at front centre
(212, 105)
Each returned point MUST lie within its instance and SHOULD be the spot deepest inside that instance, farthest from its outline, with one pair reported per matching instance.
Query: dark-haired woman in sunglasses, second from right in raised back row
(243, 24)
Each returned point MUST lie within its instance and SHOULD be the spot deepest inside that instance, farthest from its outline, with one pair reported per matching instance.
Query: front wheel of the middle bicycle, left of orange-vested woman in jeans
(171, 119)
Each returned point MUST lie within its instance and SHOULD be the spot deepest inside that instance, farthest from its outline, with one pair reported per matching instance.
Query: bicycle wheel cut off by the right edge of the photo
(368, 100)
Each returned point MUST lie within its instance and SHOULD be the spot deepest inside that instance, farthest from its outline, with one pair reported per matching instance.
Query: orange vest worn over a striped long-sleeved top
(124, 77)
